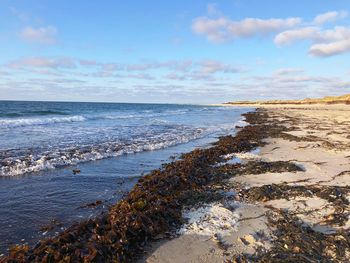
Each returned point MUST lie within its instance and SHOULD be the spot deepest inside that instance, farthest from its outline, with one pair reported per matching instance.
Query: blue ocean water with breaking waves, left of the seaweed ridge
(112, 144)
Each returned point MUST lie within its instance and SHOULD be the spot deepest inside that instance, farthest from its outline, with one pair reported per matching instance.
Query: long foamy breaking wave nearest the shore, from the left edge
(27, 163)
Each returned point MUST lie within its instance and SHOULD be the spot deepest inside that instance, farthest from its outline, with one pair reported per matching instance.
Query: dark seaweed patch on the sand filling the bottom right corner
(296, 242)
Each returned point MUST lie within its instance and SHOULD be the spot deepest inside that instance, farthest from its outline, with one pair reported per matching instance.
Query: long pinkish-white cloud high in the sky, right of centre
(223, 29)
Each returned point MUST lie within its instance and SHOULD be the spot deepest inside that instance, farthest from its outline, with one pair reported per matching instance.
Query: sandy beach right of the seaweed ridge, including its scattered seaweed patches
(279, 215)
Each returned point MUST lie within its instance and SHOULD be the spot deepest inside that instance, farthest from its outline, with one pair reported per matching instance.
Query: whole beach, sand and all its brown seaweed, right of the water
(276, 190)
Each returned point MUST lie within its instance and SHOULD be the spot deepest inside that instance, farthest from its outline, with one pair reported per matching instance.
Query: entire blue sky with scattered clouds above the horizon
(173, 51)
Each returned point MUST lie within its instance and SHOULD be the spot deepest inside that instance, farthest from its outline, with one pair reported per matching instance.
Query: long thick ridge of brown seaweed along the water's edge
(152, 208)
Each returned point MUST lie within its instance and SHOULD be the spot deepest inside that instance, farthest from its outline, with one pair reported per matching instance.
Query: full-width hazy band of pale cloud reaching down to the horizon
(202, 77)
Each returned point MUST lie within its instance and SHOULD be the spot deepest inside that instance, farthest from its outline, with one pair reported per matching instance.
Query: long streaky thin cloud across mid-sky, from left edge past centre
(205, 70)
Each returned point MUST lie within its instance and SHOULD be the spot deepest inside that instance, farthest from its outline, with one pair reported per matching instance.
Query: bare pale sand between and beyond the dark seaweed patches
(323, 152)
